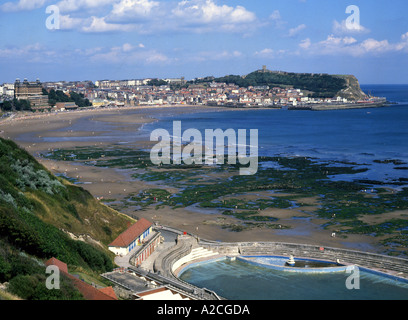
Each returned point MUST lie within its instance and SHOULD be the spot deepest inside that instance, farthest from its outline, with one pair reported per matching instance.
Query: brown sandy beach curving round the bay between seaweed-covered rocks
(29, 132)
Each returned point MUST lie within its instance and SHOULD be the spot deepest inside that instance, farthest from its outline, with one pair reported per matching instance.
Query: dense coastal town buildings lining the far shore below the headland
(165, 92)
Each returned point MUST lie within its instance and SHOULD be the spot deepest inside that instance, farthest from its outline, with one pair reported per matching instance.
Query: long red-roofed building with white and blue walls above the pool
(131, 237)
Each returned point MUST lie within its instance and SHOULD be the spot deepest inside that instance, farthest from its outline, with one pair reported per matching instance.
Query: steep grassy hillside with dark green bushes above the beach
(39, 213)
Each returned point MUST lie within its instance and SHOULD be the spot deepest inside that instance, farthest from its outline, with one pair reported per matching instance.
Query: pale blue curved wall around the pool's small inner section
(278, 263)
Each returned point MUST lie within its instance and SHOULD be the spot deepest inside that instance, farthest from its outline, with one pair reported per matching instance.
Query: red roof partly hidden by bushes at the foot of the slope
(89, 292)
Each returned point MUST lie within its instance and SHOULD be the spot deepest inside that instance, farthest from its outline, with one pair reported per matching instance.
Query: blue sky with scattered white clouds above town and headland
(134, 39)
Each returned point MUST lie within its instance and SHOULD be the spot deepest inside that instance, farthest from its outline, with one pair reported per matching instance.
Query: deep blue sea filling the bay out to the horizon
(364, 137)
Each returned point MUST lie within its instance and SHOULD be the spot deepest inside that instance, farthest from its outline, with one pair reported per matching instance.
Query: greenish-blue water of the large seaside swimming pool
(238, 280)
